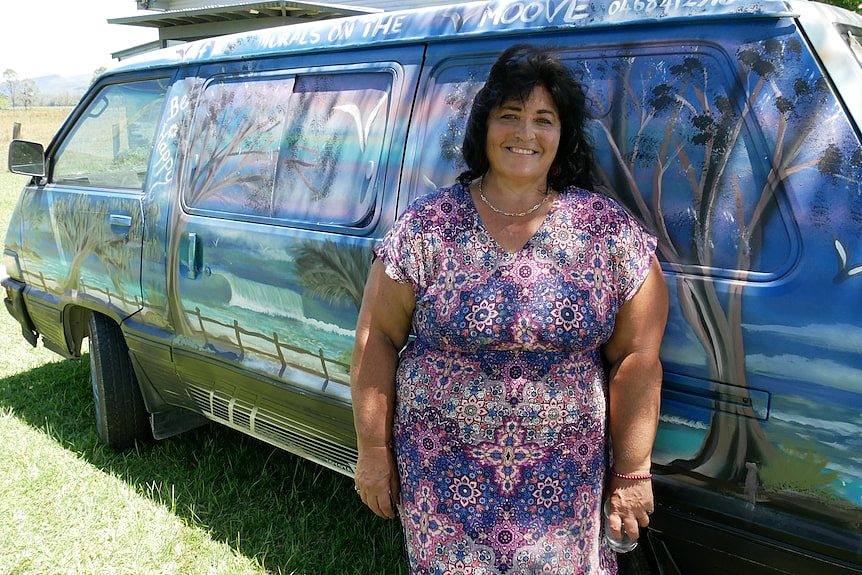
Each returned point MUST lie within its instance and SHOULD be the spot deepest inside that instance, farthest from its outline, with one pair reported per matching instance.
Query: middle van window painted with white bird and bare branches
(303, 148)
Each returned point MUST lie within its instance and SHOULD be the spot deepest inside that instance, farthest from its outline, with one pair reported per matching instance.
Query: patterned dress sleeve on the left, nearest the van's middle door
(402, 249)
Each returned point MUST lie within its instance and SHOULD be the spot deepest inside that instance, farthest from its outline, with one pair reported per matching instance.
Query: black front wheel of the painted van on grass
(121, 417)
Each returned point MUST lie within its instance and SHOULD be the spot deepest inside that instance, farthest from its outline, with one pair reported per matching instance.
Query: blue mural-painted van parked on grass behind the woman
(206, 217)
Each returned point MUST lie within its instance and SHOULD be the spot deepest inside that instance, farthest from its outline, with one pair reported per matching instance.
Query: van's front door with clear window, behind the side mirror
(85, 222)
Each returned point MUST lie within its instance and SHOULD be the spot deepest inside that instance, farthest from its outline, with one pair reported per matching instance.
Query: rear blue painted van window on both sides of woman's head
(668, 131)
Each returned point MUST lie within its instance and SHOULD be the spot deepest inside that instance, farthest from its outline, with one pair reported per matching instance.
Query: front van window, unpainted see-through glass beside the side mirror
(111, 143)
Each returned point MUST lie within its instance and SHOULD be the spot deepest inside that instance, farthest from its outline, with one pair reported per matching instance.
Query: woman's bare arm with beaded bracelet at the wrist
(635, 394)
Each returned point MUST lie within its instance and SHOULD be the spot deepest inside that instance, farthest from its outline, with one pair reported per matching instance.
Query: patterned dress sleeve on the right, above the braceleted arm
(632, 249)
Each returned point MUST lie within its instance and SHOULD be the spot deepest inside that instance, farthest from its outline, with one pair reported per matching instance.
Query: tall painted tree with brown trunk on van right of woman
(671, 129)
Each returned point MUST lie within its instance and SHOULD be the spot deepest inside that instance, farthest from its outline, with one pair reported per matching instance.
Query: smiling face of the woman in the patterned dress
(523, 138)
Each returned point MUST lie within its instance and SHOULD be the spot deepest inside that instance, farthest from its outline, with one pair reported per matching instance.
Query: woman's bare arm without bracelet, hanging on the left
(381, 331)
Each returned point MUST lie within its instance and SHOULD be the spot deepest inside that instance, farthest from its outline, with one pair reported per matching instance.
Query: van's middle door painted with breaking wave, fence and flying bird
(291, 171)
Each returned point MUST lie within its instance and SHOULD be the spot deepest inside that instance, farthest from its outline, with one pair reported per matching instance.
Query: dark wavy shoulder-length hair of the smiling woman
(513, 76)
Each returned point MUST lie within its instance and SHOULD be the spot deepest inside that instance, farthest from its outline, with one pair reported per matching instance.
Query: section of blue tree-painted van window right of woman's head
(676, 144)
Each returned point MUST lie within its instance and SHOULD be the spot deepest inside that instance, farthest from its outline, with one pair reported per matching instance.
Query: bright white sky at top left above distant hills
(44, 37)
